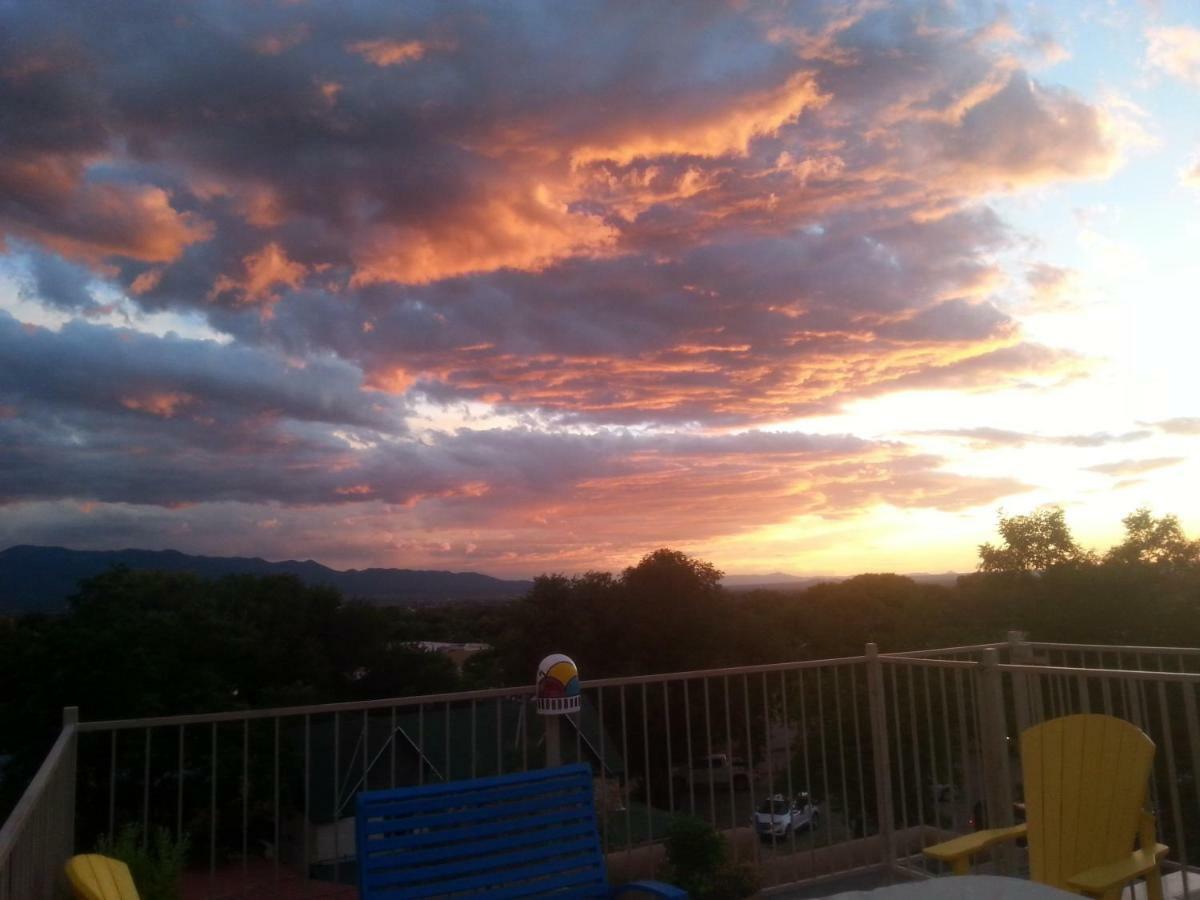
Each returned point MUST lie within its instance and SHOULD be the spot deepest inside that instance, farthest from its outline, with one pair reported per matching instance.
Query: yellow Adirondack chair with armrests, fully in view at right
(1085, 791)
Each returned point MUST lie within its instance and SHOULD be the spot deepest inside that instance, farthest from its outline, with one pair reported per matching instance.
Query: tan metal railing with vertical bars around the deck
(813, 770)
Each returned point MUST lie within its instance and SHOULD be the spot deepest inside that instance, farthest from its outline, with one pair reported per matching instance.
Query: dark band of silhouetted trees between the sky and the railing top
(140, 644)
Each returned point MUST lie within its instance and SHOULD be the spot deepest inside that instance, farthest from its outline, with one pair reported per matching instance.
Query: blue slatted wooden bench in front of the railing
(527, 835)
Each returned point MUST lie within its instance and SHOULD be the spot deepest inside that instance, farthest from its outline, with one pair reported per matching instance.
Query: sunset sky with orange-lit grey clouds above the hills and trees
(538, 287)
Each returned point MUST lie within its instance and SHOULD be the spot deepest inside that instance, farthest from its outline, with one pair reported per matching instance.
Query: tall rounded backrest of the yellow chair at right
(1085, 788)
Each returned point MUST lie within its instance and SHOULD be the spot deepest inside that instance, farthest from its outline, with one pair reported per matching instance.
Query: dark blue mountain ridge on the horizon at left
(41, 579)
